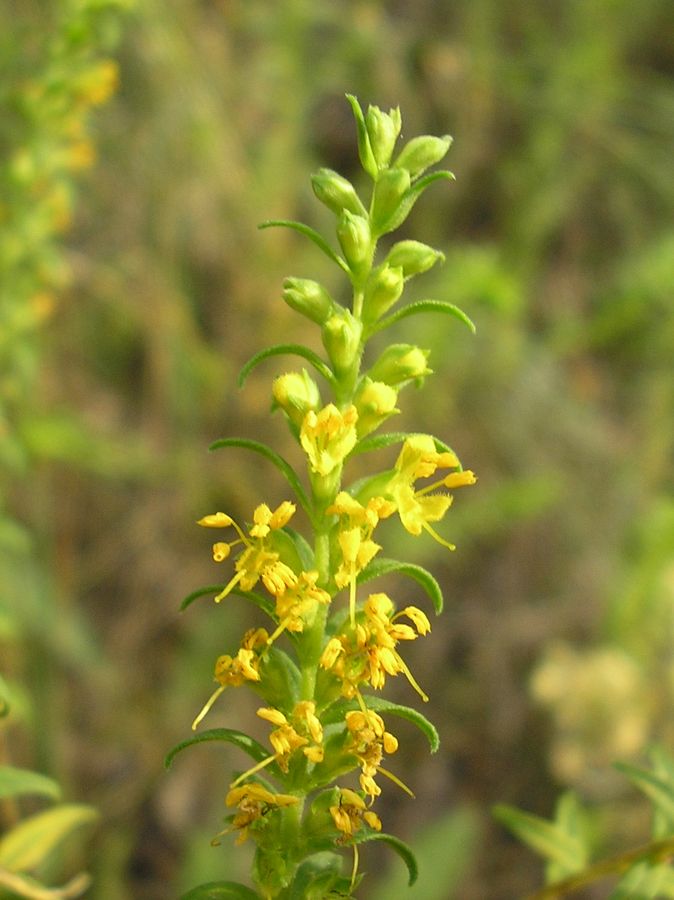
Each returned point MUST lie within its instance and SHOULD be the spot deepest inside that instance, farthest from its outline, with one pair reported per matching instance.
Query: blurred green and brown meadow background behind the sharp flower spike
(134, 286)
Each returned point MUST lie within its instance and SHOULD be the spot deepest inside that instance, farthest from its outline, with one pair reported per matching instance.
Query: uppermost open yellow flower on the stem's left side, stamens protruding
(258, 561)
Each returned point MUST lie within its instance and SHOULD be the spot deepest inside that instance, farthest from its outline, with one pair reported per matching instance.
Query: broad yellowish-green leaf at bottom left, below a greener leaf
(35, 839)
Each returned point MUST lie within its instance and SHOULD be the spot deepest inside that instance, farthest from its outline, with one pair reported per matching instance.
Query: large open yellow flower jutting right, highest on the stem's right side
(418, 508)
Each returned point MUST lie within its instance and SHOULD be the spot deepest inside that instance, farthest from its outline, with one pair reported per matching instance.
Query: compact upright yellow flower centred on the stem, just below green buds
(328, 437)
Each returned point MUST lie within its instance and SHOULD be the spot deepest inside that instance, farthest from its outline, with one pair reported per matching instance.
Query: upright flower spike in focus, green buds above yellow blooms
(300, 802)
